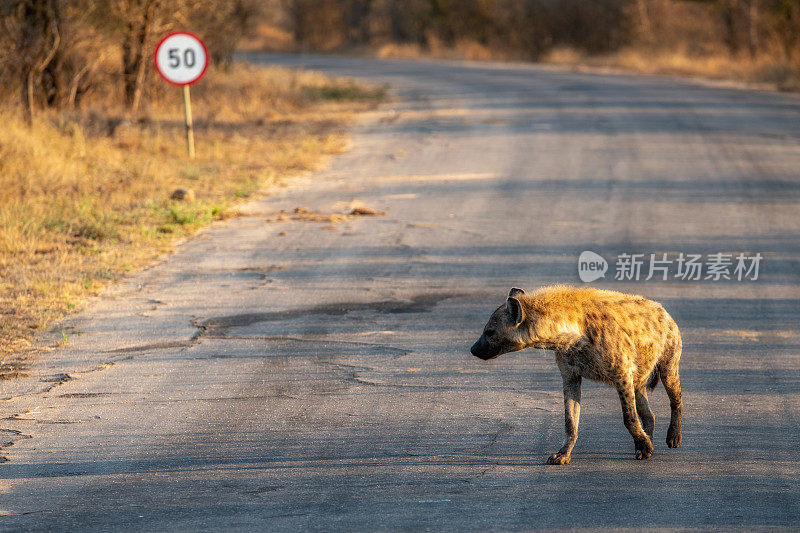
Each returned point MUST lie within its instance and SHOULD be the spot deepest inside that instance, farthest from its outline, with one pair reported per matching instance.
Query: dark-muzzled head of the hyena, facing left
(505, 331)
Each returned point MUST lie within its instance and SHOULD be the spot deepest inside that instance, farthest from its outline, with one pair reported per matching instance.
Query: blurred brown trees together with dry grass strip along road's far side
(751, 40)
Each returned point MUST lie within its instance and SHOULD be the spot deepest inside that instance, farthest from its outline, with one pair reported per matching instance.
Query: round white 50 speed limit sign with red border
(181, 58)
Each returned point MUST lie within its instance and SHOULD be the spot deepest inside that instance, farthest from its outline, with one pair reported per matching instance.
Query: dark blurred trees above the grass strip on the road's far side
(531, 27)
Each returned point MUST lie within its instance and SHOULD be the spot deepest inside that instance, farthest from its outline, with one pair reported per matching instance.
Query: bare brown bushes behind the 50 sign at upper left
(58, 53)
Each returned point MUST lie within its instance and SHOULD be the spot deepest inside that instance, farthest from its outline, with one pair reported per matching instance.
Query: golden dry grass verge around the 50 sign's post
(85, 196)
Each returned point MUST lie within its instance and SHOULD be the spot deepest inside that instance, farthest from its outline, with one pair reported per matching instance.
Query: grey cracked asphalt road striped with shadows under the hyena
(299, 375)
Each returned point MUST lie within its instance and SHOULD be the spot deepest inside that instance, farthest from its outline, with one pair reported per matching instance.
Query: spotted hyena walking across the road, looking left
(622, 340)
